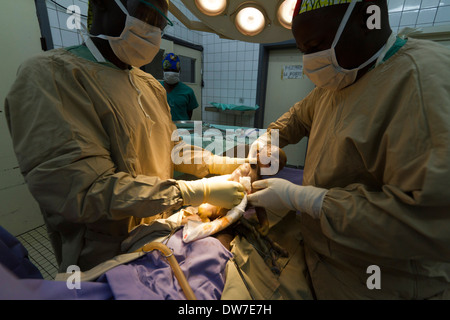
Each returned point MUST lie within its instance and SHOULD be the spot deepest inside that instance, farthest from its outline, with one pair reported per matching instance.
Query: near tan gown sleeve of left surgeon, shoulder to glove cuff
(64, 152)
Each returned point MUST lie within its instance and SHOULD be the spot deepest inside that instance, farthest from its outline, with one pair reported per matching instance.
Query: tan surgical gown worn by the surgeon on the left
(95, 161)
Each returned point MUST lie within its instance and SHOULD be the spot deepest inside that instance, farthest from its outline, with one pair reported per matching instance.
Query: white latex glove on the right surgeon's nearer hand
(281, 195)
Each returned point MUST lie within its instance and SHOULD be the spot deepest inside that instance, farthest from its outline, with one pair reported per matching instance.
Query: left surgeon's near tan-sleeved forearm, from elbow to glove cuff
(78, 193)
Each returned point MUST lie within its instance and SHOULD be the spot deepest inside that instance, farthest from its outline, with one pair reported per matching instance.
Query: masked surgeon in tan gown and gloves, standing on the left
(93, 137)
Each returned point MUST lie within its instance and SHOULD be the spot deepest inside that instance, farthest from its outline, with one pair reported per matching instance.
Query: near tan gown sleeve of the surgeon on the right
(412, 206)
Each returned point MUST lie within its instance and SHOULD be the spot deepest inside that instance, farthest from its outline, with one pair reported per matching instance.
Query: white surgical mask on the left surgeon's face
(138, 43)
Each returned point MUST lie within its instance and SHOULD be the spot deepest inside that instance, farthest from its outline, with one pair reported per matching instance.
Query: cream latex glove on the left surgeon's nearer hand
(224, 194)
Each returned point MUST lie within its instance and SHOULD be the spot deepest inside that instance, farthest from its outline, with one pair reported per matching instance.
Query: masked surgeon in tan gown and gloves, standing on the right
(375, 199)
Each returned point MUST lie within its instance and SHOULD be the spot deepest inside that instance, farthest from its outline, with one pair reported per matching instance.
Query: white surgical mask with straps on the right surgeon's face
(322, 67)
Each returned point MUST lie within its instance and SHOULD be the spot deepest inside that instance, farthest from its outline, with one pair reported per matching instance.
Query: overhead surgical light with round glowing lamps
(257, 21)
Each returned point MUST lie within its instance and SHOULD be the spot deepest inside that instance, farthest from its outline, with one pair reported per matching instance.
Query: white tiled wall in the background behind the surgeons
(230, 67)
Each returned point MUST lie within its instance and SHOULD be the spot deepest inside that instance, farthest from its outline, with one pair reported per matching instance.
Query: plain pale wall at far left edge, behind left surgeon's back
(20, 38)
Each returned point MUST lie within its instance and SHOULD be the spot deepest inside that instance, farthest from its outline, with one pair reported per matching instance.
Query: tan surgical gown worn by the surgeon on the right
(382, 148)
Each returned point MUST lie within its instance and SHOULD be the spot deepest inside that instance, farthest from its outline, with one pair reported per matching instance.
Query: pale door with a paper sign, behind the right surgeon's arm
(285, 87)
